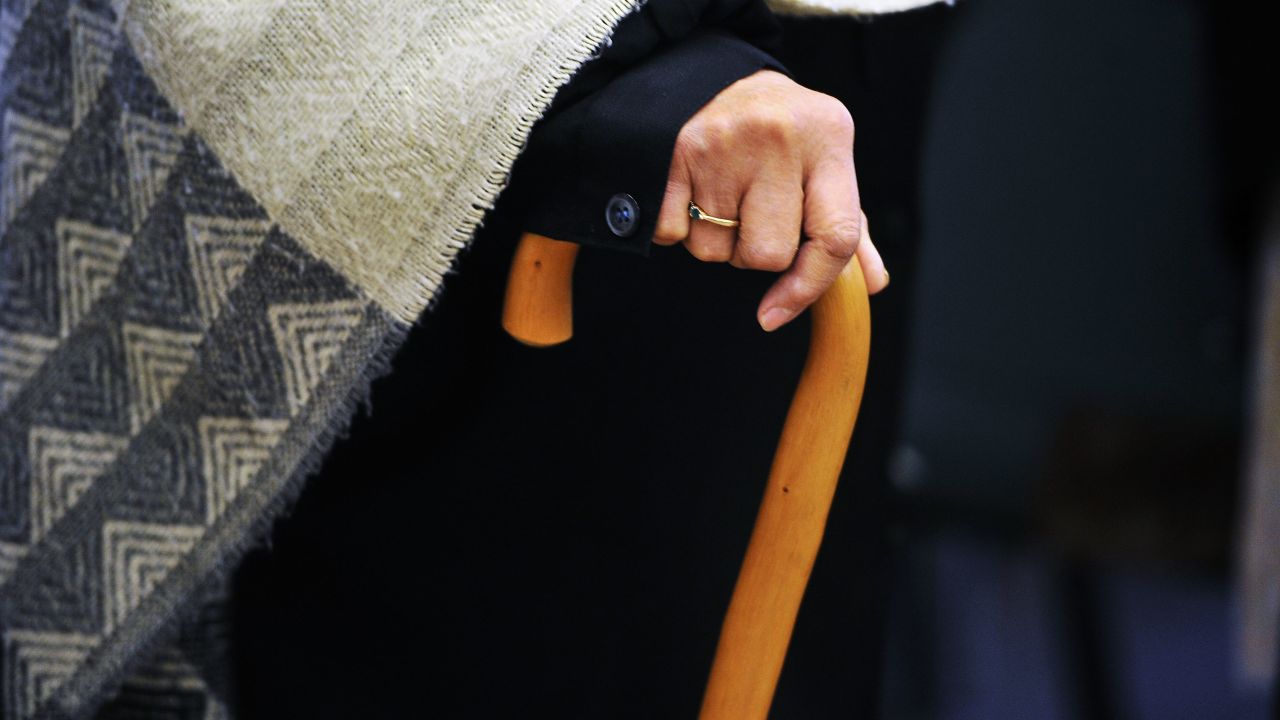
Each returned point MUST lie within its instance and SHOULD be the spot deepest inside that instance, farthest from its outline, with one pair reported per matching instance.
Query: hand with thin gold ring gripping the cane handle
(780, 160)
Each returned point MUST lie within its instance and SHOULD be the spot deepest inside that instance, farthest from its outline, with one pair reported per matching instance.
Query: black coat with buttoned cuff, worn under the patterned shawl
(560, 535)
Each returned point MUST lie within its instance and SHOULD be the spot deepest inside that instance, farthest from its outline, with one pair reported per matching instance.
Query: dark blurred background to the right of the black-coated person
(1068, 476)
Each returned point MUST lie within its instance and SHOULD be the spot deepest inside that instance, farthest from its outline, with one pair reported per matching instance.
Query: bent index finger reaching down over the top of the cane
(833, 227)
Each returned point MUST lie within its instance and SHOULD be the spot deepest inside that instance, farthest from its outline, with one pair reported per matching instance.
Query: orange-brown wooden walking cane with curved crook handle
(798, 498)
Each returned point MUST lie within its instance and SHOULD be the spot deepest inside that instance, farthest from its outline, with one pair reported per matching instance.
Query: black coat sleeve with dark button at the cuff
(596, 168)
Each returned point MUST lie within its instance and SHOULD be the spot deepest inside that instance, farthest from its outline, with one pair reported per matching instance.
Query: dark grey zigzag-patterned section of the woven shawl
(170, 368)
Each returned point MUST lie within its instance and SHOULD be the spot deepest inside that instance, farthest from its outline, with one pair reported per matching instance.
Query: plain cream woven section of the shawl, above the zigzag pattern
(383, 153)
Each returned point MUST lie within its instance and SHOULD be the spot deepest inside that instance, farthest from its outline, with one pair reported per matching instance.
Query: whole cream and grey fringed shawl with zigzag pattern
(218, 221)
